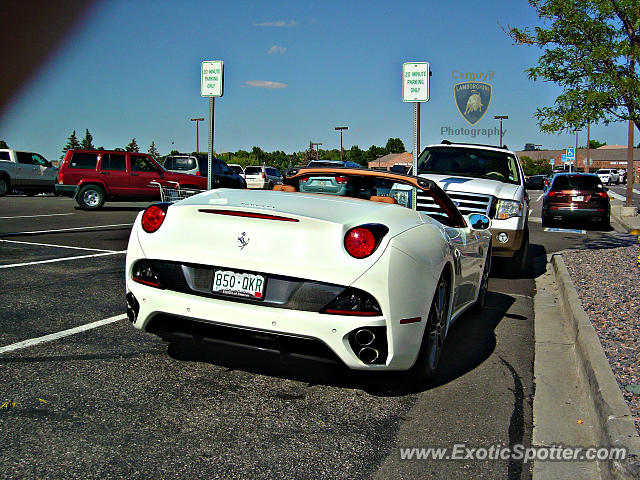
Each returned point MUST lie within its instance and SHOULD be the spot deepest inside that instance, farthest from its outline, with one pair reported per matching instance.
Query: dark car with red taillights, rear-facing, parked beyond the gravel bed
(576, 197)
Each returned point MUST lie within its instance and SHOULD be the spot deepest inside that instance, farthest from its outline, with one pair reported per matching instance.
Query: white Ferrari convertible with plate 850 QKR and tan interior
(358, 279)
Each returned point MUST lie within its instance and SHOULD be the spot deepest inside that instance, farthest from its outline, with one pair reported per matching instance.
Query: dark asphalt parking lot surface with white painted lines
(111, 401)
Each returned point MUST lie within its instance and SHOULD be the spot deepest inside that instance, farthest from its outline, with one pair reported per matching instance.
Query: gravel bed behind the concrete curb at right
(608, 284)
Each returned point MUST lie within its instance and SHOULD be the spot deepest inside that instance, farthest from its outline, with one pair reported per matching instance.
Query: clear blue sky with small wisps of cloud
(293, 71)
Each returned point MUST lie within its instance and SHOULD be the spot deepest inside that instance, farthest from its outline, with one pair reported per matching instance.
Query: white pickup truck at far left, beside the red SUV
(28, 172)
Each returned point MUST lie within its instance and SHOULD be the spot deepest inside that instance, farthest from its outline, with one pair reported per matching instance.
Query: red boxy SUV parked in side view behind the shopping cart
(93, 176)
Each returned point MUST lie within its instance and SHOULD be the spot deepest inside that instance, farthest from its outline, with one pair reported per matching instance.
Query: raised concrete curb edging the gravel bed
(614, 424)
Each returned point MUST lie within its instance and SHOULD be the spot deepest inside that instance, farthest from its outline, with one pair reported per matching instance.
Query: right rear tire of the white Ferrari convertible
(434, 336)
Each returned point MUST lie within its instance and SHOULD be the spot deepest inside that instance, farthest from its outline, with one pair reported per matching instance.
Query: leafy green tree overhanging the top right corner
(591, 50)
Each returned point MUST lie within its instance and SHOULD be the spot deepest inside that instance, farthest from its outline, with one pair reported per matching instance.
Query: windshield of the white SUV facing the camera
(470, 162)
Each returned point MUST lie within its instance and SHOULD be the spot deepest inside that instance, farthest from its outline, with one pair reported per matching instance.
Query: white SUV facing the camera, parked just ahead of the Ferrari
(482, 179)
